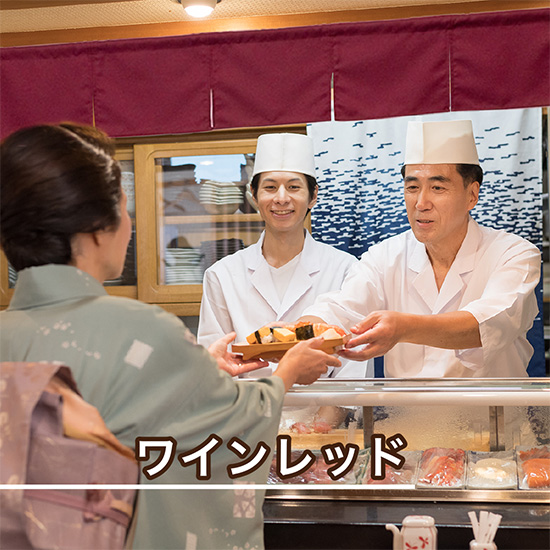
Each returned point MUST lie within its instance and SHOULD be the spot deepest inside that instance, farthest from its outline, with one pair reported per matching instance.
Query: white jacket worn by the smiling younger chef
(239, 295)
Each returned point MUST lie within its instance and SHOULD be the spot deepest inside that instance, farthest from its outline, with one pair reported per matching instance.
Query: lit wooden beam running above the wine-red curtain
(260, 22)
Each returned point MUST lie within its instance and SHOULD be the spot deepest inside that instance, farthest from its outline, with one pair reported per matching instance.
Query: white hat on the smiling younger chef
(284, 153)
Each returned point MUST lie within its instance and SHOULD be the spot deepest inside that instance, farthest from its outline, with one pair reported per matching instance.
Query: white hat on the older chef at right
(441, 142)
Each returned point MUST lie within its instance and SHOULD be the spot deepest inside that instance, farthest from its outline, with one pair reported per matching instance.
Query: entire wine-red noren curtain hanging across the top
(195, 83)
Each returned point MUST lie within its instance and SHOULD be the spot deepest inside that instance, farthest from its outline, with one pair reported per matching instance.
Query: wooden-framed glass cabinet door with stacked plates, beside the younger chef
(192, 199)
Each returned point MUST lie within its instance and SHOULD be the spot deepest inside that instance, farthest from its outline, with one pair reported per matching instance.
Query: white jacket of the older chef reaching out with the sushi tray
(493, 277)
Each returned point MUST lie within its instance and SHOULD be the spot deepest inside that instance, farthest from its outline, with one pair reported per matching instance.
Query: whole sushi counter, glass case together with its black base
(471, 444)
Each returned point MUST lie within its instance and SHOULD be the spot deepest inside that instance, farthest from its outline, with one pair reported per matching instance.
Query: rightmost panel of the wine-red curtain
(501, 60)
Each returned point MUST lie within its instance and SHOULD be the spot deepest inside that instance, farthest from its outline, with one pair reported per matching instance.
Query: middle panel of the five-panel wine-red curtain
(271, 78)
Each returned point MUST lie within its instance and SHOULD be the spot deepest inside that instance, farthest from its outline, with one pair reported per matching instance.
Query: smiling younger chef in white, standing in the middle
(279, 276)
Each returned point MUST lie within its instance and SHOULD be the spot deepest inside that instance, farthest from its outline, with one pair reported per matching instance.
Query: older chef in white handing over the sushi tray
(447, 298)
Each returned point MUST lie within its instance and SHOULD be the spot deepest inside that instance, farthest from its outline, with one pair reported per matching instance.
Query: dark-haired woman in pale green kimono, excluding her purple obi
(64, 227)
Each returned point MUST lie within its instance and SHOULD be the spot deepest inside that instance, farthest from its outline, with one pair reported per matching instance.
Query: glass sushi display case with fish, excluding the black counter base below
(462, 439)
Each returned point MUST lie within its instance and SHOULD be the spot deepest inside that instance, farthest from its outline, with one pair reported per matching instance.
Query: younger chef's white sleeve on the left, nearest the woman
(214, 318)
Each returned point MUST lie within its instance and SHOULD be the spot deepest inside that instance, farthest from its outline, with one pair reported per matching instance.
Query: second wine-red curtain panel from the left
(153, 86)
